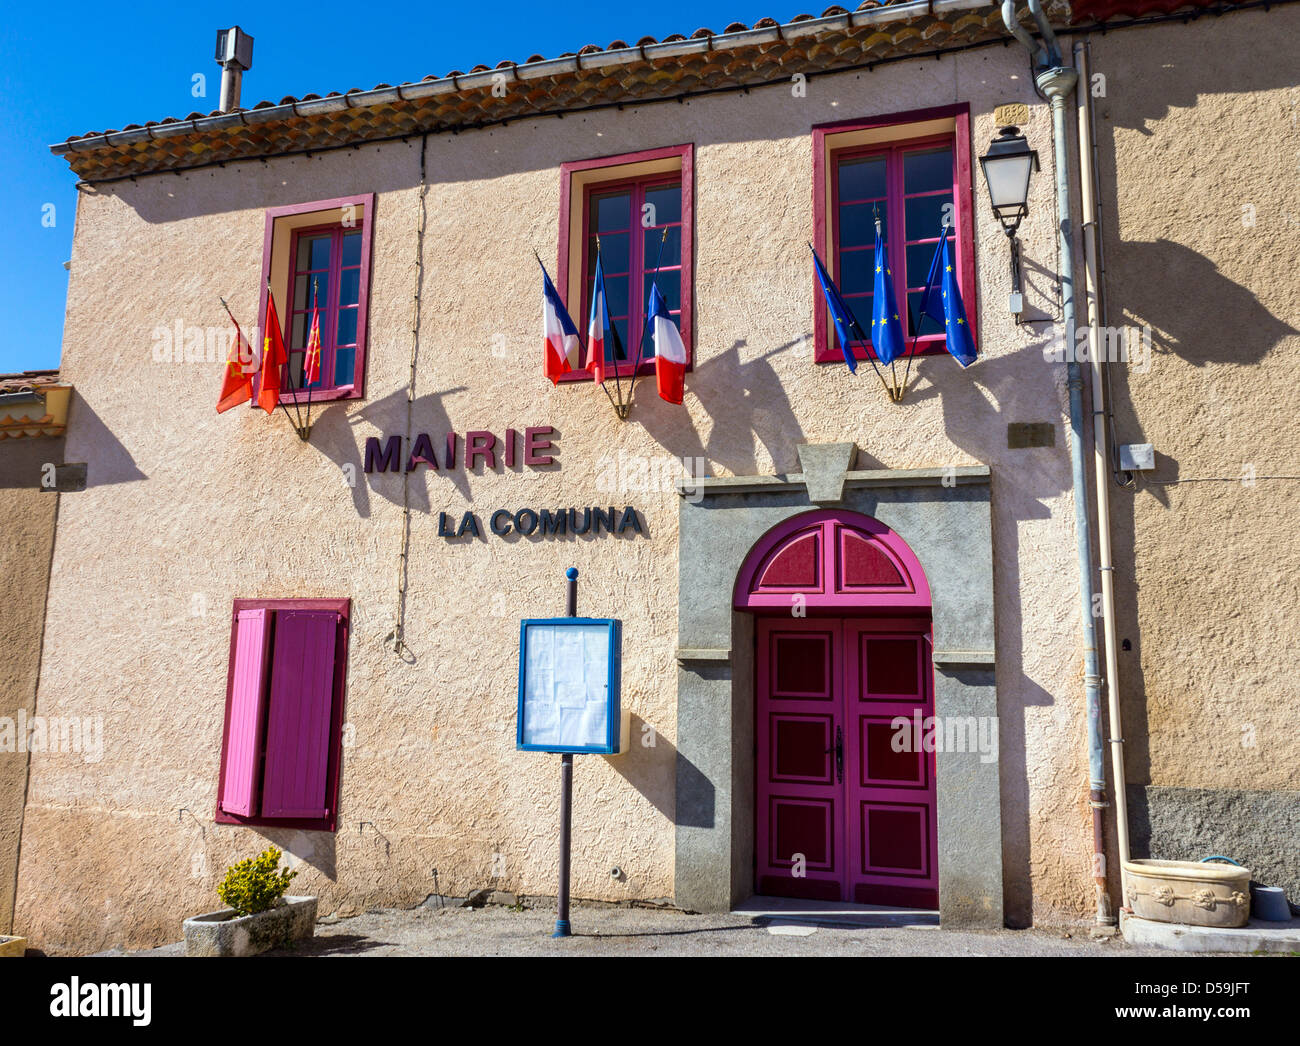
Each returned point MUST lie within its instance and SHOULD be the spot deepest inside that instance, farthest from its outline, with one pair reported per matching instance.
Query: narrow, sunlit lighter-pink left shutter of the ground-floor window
(244, 727)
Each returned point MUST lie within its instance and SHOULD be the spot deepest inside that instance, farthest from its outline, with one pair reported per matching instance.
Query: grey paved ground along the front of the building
(499, 931)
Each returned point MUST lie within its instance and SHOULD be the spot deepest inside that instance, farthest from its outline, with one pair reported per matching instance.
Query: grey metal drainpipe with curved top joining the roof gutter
(1058, 83)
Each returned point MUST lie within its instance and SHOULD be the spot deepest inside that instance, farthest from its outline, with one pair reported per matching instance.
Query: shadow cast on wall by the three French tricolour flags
(748, 393)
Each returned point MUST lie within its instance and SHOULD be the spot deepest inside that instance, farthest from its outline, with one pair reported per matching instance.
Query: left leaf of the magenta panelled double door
(800, 837)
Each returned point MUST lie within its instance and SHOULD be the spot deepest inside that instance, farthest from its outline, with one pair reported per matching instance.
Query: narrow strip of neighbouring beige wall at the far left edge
(28, 518)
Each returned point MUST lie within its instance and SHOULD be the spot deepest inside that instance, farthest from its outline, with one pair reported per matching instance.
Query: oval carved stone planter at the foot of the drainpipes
(1193, 893)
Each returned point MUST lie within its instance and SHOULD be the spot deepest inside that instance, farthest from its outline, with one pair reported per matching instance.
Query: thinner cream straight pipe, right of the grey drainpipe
(1100, 450)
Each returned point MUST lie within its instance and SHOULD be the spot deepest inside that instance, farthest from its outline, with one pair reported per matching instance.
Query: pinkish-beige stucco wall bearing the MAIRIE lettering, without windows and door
(188, 511)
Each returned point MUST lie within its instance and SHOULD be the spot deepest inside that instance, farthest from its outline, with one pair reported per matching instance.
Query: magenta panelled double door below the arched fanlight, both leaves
(846, 795)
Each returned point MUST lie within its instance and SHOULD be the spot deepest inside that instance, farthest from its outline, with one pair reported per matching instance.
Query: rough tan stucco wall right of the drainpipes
(1199, 134)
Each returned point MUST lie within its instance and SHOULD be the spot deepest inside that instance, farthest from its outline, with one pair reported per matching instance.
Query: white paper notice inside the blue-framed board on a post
(567, 685)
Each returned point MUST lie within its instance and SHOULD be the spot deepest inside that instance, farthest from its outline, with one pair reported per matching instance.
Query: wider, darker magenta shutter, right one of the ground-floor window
(302, 697)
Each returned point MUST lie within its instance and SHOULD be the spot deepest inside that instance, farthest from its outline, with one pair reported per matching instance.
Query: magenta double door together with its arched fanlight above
(843, 691)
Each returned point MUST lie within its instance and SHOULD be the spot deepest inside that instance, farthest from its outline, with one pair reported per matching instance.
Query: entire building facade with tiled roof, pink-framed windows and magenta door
(314, 643)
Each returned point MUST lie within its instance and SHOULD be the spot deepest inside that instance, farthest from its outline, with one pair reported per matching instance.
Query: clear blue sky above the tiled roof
(79, 67)
